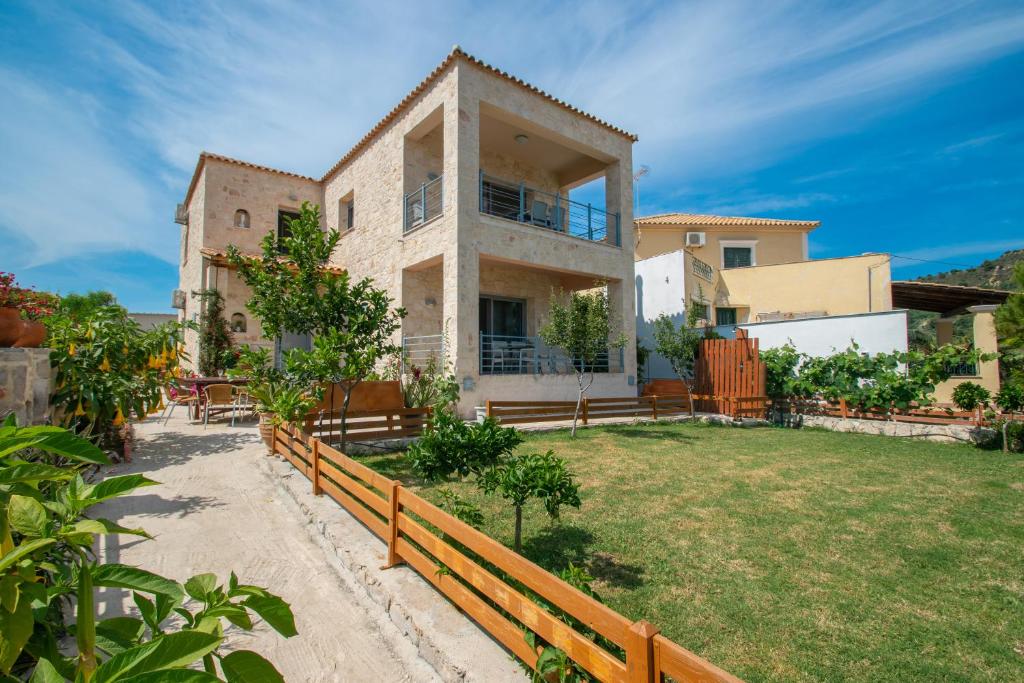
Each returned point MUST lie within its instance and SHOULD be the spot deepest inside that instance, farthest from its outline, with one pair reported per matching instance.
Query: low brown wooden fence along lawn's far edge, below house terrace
(655, 407)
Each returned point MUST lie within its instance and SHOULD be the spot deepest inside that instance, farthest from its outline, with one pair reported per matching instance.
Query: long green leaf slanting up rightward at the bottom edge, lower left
(169, 652)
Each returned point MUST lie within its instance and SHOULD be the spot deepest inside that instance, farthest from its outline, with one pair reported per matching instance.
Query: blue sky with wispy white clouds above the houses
(900, 125)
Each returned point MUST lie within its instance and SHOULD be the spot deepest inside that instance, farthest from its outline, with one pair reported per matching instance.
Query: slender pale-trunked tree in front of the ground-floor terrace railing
(582, 327)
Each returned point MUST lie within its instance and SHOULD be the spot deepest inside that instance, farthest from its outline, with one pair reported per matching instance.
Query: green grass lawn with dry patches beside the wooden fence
(793, 556)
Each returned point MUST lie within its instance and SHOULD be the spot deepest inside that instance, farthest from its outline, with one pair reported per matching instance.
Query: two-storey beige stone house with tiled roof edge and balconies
(459, 203)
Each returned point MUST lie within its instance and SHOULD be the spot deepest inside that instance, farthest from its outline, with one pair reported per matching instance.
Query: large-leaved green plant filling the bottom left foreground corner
(49, 574)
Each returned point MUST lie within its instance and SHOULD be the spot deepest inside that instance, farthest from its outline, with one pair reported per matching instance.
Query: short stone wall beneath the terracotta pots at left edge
(26, 382)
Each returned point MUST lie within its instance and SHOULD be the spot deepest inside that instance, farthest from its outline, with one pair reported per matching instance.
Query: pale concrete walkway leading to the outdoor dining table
(217, 510)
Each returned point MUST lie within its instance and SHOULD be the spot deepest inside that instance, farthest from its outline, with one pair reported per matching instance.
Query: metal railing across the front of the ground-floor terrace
(506, 355)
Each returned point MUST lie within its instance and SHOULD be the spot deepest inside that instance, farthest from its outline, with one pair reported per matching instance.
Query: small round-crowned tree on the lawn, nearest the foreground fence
(532, 476)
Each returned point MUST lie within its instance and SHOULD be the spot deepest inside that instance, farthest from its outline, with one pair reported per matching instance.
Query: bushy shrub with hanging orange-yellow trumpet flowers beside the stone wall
(109, 370)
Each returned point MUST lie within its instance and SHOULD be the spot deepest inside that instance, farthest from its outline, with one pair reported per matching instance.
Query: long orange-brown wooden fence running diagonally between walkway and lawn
(496, 587)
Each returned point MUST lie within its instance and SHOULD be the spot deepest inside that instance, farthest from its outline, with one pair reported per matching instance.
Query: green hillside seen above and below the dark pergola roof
(995, 274)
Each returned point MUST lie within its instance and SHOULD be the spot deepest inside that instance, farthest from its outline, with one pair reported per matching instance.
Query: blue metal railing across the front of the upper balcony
(518, 202)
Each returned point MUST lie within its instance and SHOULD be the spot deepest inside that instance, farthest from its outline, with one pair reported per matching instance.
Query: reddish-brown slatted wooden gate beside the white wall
(732, 372)
